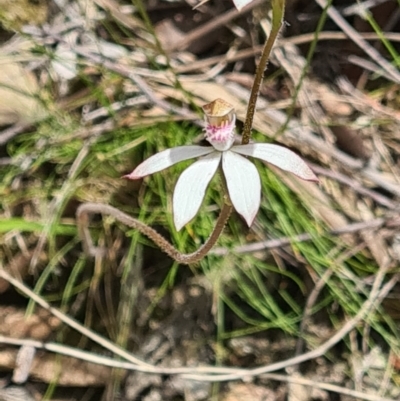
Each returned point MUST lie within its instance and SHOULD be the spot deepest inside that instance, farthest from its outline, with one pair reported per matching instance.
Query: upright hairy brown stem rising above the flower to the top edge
(278, 7)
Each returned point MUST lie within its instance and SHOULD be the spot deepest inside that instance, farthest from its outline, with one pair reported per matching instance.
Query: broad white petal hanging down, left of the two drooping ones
(191, 187)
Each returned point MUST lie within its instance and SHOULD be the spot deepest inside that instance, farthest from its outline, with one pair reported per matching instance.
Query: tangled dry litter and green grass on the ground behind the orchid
(76, 90)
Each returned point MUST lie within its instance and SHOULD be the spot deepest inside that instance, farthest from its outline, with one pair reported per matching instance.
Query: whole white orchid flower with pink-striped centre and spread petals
(242, 178)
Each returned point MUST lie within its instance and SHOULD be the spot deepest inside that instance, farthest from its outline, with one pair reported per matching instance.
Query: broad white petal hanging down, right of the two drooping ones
(243, 183)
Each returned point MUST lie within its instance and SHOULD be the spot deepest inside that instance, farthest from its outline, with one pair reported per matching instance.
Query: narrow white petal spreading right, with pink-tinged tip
(279, 157)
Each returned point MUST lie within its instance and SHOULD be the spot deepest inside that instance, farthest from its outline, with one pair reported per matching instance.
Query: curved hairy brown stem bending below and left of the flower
(87, 209)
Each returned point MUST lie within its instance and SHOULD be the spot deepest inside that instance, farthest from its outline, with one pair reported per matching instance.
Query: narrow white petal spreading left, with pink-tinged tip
(167, 158)
